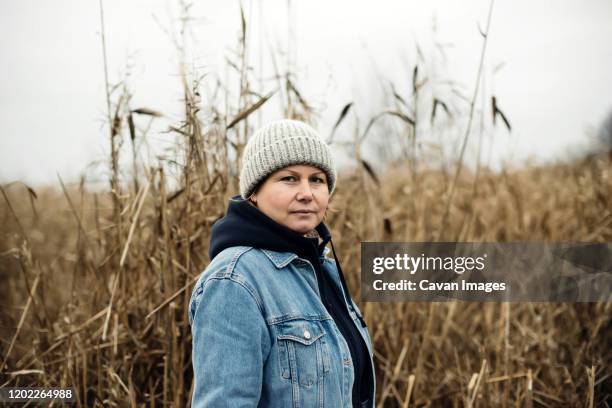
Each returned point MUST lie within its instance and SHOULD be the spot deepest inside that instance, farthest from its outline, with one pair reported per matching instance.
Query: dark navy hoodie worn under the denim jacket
(245, 225)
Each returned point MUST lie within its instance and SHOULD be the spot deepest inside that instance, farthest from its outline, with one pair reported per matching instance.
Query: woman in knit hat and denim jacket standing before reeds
(272, 320)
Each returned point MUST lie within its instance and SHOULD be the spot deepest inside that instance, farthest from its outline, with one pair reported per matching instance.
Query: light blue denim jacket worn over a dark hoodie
(262, 337)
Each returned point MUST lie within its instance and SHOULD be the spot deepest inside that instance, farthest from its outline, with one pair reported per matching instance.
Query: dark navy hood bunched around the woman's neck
(245, 225)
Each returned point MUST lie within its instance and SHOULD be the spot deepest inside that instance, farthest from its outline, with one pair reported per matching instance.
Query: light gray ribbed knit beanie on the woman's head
(280, 144)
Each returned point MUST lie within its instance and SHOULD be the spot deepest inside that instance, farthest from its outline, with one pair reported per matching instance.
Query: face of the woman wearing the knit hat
(294, 196)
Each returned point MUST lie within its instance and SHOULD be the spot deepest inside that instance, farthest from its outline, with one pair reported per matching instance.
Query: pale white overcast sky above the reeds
(553, 80)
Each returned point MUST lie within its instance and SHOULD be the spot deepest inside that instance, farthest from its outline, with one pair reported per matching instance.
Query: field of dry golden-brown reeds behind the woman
(96, 281)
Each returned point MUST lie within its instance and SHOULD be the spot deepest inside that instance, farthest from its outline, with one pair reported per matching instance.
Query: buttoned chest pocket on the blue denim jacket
(302, 352)
